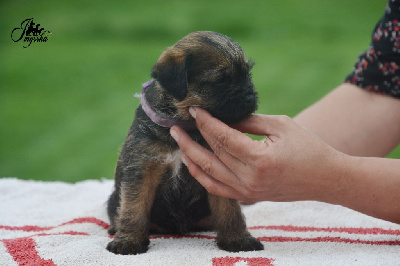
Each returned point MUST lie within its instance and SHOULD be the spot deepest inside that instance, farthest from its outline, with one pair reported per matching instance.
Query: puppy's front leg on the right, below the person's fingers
(232, 234)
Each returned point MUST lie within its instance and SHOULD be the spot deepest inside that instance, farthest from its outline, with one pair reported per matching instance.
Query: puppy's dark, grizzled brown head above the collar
(209, 70)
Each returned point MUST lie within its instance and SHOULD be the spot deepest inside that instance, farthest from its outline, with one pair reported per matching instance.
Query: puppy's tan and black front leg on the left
(132, 225)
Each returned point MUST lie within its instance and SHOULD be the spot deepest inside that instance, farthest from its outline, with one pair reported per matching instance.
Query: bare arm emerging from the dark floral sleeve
(355, 121)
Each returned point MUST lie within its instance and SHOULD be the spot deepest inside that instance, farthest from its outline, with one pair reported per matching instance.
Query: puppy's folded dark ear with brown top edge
(171, 72)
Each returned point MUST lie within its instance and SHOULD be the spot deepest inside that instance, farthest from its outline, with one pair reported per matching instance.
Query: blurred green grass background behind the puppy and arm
(66, 105)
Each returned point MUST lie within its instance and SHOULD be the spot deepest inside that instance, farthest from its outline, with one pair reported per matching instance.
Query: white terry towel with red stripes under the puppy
(55, 223)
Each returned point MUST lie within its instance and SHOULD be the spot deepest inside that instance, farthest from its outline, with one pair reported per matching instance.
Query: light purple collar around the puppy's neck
(161, 119)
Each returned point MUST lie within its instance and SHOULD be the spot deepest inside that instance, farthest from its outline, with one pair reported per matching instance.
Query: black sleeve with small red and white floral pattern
(377, 69)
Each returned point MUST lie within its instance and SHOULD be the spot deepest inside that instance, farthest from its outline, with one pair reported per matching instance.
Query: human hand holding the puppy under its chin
(290, 164)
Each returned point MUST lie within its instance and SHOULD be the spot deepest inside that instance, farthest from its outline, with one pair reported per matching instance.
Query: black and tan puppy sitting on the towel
(154, 192)
